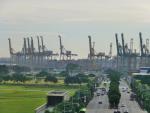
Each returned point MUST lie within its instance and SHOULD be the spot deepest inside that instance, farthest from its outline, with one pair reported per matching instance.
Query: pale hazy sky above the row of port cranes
(74, 20)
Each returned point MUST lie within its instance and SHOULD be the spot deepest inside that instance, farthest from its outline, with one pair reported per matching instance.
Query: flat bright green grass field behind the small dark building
(24, 99)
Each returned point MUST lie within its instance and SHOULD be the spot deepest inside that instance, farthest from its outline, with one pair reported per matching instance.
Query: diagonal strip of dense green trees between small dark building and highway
(79, 100)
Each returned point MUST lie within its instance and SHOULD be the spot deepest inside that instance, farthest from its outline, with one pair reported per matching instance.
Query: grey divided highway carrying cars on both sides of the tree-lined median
(131, 106)
